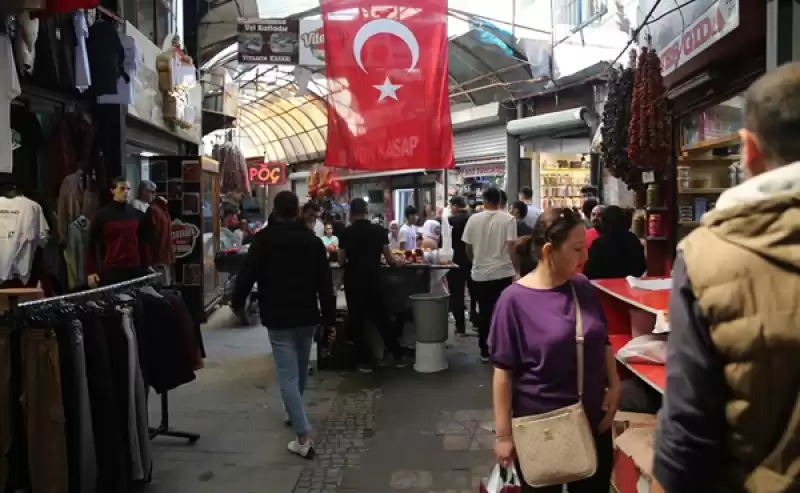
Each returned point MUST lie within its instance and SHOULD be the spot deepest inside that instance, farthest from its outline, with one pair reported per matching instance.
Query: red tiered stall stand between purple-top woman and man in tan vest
(632, 312)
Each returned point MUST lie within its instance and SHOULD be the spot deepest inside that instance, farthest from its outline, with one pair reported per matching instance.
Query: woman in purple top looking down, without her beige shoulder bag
(532, 345)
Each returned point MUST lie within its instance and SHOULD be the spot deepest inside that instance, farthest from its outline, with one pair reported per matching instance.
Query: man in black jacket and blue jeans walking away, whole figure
(295, 290)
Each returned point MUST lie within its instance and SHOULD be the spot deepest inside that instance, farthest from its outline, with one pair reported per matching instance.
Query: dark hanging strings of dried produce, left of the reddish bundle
(616, 119)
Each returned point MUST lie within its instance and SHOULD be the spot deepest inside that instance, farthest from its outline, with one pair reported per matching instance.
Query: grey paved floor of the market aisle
(378, 433)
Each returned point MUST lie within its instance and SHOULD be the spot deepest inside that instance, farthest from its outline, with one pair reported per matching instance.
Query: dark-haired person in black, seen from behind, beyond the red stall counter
(617, 252)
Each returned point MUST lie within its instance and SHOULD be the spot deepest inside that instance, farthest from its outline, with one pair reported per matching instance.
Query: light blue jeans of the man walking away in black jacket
(291, 349)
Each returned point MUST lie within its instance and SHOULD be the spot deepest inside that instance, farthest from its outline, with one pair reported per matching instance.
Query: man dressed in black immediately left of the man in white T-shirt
(459, 279)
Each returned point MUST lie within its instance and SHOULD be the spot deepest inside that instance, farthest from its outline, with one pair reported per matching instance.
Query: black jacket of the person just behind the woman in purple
(614, 256)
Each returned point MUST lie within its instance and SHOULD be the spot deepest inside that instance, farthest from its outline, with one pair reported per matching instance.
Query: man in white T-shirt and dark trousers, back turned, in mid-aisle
(490, 237)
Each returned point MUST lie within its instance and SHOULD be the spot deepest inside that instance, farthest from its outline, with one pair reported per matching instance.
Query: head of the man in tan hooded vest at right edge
(772, 113)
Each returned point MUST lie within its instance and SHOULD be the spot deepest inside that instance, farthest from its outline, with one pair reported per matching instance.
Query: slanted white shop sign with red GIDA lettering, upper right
(720, 19)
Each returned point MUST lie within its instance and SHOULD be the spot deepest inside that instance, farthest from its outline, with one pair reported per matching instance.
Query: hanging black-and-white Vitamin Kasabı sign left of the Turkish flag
(281, 42)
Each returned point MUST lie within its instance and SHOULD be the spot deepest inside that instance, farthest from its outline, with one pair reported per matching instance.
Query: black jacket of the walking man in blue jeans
(295, 284)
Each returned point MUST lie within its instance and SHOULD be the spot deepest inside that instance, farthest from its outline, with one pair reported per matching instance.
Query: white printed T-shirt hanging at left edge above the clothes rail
(23, 229)
